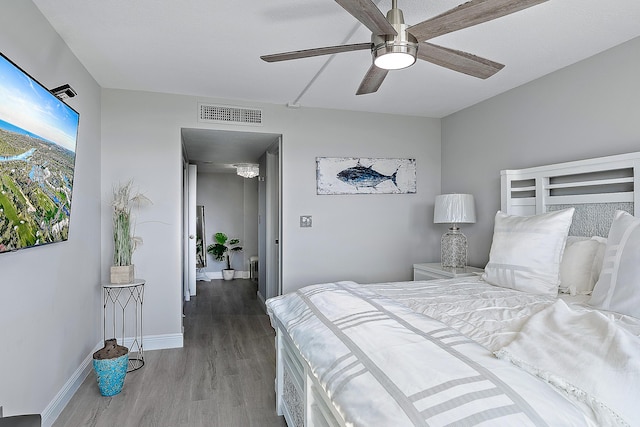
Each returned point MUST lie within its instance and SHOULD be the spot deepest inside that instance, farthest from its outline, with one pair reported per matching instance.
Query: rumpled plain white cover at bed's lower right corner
(592, 356)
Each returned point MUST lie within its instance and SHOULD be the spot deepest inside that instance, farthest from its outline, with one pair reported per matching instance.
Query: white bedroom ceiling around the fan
(211, 48)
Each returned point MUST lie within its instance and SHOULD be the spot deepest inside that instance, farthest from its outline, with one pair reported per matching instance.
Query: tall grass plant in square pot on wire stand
(124, 240)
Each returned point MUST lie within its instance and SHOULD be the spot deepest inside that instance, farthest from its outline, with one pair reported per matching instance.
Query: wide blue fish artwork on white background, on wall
(363, 175)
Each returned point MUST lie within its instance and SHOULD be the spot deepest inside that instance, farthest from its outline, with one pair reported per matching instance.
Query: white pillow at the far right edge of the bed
(618, 288)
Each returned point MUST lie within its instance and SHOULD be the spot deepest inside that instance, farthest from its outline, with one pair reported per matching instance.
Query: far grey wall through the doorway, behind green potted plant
(230, 206)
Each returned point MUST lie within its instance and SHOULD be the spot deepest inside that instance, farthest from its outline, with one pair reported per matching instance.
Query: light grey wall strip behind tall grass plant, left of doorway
(141, 141)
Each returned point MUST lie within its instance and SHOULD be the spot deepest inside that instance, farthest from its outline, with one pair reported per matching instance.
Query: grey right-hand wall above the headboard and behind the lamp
(589, 109)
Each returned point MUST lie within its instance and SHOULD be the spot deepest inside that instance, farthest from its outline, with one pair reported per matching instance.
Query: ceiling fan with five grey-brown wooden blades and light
(395, 45)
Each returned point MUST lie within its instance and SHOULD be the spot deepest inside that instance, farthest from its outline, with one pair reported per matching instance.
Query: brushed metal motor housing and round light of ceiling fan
(402, 46)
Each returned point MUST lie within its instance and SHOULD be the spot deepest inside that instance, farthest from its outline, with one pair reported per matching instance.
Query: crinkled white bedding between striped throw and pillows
(592, 356)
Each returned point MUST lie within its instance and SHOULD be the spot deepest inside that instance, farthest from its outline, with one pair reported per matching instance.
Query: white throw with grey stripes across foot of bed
(383, 364)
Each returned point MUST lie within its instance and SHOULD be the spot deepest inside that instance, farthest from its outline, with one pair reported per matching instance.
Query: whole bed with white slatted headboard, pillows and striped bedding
(549, 334)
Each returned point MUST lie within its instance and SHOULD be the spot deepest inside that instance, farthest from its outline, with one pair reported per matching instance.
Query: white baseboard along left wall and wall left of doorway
(55, 407)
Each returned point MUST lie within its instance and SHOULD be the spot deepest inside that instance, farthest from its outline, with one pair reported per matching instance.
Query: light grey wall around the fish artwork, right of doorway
(366, 238)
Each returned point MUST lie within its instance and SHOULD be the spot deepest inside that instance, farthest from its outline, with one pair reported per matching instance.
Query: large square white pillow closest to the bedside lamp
(526, 251)
